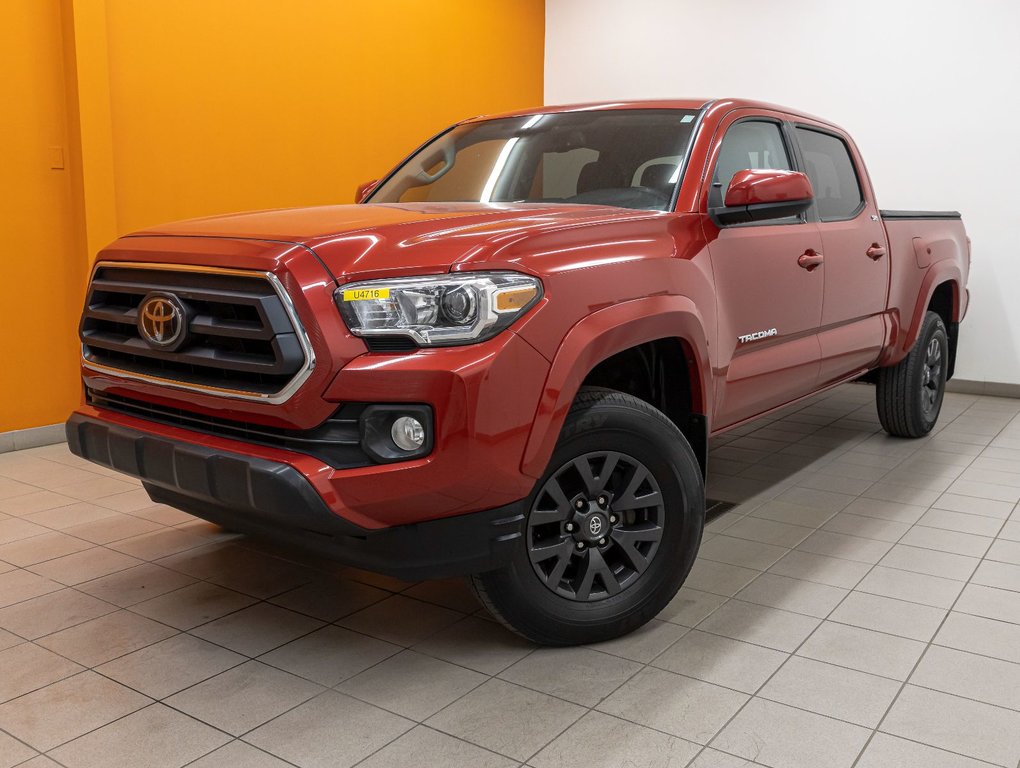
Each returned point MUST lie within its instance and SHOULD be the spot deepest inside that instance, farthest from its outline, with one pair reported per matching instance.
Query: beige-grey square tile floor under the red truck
(859, 607)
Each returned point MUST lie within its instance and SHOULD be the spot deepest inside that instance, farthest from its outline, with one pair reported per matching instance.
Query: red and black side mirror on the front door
(764, 195)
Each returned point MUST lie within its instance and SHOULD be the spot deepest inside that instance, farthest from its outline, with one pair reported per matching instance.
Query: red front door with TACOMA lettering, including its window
(770, 298)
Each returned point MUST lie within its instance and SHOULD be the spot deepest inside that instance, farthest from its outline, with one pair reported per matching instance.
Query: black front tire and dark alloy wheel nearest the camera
(564, 586)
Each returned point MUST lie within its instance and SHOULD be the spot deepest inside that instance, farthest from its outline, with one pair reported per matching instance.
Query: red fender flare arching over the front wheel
(599, 337)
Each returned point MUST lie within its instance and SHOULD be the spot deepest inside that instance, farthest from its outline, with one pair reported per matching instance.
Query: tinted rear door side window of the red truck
(828, 163)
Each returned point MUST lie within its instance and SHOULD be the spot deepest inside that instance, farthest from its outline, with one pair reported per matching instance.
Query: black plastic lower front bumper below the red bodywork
(262, 497)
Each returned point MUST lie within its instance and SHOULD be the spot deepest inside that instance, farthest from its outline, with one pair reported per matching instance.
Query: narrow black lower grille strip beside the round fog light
(336, 442)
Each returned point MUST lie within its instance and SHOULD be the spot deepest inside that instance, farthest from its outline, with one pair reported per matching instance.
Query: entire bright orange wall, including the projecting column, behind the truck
(195, 108)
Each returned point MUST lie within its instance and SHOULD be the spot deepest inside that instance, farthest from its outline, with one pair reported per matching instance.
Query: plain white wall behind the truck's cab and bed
(930, 90)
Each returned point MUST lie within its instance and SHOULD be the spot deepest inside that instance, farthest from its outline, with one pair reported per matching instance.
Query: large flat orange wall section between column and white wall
(221, 107)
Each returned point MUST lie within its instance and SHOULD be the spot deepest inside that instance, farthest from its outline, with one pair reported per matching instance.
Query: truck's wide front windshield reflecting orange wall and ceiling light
(630, 159)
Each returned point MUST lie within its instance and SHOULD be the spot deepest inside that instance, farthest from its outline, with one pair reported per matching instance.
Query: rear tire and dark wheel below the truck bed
(910, 394)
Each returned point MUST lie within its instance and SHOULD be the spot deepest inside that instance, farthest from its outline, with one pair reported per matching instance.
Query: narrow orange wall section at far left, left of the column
(41, 265)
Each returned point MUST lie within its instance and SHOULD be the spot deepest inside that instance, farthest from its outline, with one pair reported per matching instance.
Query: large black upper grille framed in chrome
(241, 337)
